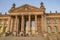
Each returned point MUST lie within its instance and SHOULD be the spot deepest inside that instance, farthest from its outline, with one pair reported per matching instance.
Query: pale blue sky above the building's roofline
(50, 5)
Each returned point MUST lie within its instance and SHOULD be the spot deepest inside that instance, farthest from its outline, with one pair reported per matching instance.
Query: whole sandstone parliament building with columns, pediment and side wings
(28, 20)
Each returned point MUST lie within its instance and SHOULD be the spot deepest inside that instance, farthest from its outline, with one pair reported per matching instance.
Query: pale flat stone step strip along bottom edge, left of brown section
(21, 38)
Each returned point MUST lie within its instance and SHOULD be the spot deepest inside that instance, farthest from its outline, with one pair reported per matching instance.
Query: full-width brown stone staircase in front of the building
(34, 37)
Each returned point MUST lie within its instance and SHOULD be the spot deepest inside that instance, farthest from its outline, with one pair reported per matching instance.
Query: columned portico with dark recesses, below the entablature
(25, 24)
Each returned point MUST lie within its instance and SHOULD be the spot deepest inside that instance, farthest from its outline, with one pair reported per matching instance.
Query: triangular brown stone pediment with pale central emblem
(25, 8)
